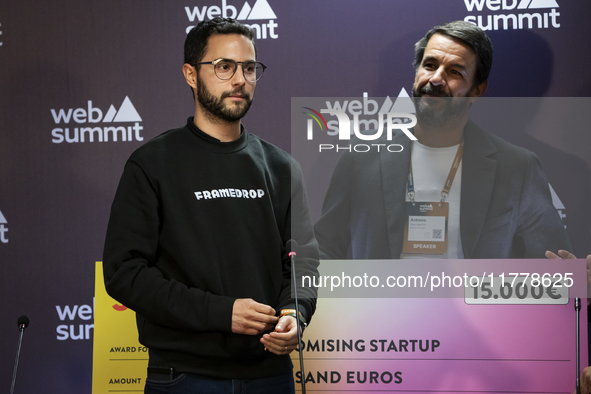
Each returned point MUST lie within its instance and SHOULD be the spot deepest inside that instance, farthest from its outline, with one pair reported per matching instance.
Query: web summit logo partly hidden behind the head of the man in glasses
(261, 10)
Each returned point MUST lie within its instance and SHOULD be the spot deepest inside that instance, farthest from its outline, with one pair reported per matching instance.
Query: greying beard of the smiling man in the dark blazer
(438, 111)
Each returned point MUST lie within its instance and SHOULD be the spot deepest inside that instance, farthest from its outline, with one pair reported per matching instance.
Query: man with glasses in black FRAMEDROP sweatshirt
(196, 242)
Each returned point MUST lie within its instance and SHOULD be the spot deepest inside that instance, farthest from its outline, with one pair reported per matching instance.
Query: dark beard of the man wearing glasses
(216, 110)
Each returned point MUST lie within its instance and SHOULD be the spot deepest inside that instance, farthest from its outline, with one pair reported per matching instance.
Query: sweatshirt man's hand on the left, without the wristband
(252, 318)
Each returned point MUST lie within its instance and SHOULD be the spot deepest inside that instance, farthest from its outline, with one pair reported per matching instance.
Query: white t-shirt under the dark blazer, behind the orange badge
(430, 168)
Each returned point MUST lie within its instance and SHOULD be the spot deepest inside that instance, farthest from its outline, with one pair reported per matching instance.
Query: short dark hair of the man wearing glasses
(198, 37)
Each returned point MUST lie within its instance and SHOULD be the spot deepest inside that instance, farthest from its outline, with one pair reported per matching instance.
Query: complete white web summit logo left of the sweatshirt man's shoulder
(94, 133)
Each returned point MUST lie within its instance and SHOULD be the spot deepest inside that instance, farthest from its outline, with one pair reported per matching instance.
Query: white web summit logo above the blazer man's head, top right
(545, 17)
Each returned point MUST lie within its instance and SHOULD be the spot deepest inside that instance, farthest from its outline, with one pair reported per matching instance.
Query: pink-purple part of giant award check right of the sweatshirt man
(514, 336)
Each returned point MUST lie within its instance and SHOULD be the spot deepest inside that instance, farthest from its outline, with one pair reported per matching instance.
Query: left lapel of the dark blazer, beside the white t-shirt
(394, 171)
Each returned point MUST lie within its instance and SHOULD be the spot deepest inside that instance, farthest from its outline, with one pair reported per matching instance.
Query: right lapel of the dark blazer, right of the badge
(478, 178)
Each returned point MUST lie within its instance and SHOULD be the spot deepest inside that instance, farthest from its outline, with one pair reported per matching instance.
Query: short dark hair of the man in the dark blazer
(468, 34)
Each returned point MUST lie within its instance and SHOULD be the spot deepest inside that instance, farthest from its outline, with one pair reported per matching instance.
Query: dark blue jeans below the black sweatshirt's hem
(194, 384)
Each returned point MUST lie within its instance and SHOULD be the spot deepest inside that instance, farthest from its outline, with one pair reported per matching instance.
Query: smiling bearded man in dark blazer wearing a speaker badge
(503, 203)
